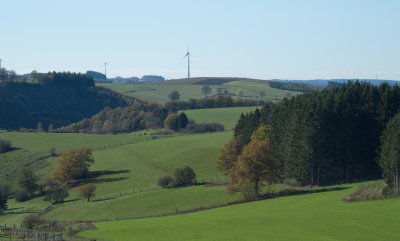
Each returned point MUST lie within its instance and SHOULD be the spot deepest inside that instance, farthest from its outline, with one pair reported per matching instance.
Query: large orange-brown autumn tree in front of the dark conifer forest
(256, 164)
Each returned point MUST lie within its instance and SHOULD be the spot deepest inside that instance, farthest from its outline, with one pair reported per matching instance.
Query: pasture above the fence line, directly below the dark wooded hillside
(31, 146)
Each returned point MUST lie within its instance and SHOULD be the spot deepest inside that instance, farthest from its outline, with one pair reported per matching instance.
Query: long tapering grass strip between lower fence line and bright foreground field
(144, 204)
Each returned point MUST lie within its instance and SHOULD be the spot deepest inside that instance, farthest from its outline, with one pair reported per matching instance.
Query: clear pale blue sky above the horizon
(294, 39)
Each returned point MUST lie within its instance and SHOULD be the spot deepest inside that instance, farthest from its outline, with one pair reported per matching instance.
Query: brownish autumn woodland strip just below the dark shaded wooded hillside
(111, 121)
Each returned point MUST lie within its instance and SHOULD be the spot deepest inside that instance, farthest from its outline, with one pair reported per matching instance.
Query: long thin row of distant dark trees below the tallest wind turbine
(218, 101)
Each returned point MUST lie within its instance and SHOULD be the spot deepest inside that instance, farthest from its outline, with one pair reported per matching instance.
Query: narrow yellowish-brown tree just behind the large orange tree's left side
(228, 156)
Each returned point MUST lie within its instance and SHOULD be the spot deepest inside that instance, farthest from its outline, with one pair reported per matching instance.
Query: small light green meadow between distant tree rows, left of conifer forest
(225, 116)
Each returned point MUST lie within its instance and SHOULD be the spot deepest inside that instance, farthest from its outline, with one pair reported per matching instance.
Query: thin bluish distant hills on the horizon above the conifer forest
(322, 83)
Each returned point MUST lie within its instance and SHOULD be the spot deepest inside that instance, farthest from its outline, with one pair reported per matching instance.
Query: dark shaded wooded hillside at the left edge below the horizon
(53, 102)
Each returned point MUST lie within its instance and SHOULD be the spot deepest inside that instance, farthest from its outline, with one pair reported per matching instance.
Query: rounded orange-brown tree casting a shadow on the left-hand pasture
(72, 165)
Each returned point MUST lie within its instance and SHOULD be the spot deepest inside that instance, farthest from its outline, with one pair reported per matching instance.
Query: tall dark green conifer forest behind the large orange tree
(327, 137)
